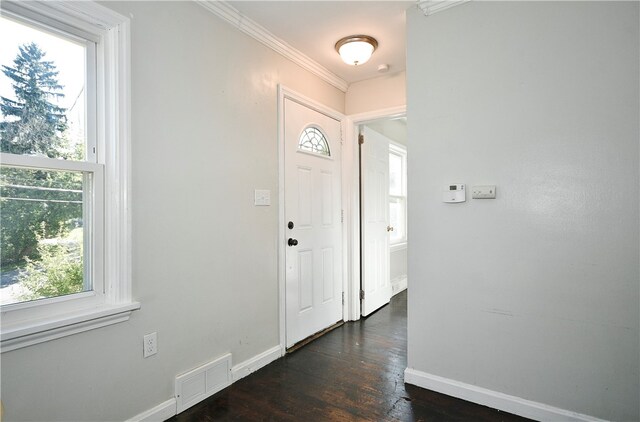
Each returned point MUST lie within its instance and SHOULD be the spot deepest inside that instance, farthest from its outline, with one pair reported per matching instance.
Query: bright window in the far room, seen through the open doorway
(398, 194)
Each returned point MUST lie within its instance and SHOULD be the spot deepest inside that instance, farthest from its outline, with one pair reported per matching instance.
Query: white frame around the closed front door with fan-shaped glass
(283, 93)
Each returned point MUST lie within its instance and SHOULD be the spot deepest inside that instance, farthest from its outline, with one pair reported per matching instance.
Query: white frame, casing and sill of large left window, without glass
(110, 302)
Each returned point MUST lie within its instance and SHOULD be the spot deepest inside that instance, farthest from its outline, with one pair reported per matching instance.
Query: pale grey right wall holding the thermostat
(534, 294)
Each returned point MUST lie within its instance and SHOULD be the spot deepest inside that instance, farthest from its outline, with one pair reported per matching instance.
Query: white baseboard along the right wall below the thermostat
(493, 399)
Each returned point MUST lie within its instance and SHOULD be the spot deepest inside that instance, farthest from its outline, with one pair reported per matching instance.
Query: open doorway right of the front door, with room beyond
(383, 211)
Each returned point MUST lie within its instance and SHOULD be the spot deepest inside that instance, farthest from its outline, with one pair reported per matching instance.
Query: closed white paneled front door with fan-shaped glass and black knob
(313, 226)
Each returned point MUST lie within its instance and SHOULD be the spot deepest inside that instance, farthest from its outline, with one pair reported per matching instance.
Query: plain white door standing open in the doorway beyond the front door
(375, 255)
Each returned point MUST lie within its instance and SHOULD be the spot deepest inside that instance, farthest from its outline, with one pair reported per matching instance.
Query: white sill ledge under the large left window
(28, 333)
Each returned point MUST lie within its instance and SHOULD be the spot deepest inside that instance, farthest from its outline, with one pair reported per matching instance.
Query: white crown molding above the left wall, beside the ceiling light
(231, 15)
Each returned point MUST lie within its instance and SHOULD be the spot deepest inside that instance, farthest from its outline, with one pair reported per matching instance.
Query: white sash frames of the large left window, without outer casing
(93, 173)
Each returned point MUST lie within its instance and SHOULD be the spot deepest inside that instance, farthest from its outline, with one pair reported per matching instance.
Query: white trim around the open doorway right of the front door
(351, 205)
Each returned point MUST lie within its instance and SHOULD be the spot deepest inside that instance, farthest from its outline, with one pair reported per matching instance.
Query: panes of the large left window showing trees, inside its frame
(45, 184)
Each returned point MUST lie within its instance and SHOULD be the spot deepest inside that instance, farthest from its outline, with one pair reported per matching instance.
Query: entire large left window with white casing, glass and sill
(63, 129)
